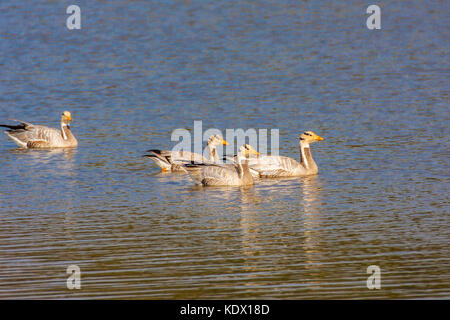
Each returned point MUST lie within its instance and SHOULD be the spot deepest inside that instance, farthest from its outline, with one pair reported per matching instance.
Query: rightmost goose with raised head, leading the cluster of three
(279, 166)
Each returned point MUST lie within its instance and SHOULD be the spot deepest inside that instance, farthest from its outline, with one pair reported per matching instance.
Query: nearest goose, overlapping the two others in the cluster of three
(236, 174)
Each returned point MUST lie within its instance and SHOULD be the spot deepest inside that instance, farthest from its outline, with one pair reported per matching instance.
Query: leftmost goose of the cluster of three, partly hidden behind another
(169, 160)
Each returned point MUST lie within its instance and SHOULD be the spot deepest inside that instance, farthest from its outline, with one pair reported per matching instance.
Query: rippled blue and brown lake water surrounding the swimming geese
(137, 70)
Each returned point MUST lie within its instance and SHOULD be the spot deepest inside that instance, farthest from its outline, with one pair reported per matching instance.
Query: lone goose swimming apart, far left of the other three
(27, 135)
